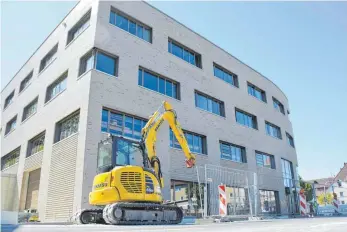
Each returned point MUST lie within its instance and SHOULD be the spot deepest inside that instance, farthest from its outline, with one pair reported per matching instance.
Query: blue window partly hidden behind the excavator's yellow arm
(196, 142)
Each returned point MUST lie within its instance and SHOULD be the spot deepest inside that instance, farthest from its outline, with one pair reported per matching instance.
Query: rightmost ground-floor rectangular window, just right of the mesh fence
(269, 202)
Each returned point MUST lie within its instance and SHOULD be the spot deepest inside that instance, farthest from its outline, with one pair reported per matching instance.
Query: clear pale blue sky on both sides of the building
(301, 46)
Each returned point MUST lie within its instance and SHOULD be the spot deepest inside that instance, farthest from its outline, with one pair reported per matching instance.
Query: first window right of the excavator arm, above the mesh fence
(232, 152)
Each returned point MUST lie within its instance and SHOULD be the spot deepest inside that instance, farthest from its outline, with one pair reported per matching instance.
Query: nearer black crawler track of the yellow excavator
(127, 213)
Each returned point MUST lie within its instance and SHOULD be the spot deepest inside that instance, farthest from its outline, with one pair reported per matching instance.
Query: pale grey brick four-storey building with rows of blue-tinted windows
(105, 69)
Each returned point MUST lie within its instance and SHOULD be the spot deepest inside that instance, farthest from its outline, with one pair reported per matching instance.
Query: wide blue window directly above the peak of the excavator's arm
(158, 83)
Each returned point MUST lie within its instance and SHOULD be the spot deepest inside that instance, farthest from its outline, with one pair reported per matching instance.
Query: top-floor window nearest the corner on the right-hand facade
(131, 25)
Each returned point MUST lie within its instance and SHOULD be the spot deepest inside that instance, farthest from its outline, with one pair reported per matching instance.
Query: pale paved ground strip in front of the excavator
(279, 225)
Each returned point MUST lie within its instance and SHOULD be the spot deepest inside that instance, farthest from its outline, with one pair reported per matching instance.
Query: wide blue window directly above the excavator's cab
(121, 124)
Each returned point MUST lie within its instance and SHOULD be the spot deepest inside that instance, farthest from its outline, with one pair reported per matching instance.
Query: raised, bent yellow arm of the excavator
(149, 137)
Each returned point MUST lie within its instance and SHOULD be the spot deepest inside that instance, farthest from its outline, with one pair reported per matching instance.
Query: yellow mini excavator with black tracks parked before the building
(129, 194)
